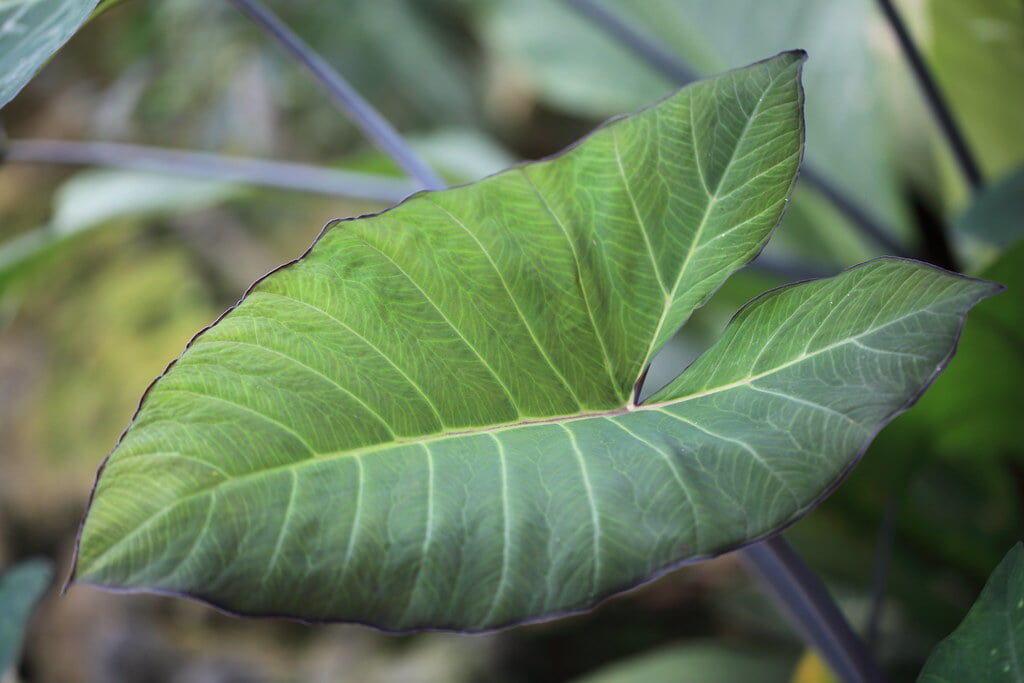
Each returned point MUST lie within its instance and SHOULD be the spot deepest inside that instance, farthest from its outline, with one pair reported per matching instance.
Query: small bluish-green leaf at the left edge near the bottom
(21, 588)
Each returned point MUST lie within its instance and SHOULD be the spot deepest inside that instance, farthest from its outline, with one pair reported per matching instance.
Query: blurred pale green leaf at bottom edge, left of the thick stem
(697, 663)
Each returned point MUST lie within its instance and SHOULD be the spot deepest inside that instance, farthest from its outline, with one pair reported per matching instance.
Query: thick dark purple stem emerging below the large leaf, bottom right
(812, 611)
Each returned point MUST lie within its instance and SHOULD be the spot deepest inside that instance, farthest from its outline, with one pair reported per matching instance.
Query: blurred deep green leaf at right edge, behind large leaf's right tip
(974, 410)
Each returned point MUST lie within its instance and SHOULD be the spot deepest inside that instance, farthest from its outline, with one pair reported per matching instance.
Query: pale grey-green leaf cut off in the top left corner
(31, 31)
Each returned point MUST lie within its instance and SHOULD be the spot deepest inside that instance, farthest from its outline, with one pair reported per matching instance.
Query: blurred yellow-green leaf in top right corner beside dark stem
(977, 50)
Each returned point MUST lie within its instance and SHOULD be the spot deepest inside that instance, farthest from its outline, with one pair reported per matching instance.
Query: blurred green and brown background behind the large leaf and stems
(105, 275)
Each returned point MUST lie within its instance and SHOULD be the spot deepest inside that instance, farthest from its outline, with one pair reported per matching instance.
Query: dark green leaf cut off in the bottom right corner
(989, 646)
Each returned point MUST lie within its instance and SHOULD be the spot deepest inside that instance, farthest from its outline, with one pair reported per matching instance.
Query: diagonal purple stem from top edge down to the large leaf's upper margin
(364, 115)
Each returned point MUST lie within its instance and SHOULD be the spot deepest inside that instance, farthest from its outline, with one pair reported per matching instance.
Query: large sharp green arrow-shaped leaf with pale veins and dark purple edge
(429, 420)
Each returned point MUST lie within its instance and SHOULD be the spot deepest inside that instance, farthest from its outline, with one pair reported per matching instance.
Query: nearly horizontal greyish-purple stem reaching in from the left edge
(197, 164)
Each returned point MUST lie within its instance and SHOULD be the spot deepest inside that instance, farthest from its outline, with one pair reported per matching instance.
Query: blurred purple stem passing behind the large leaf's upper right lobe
(672, 67)
